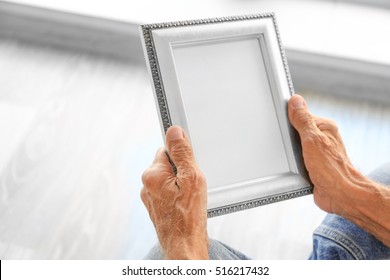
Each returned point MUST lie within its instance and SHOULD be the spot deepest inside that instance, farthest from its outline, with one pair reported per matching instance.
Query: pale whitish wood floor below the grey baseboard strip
(76, 133)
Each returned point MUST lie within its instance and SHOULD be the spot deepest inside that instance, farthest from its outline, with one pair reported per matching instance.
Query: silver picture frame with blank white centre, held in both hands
(226, 82)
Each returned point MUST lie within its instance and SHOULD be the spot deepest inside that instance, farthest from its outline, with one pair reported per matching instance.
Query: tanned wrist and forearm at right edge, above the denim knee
(368, 206)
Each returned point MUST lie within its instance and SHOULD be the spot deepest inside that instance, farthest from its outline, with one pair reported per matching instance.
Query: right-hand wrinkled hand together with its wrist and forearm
(338, 187)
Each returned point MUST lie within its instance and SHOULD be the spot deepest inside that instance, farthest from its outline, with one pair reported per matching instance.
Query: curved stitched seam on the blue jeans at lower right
(341, 239)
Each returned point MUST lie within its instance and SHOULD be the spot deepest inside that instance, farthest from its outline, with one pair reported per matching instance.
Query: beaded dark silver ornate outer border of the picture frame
(146, 33)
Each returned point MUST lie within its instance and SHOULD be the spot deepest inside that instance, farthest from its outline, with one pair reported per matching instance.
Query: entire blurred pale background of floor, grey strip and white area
(78, 123)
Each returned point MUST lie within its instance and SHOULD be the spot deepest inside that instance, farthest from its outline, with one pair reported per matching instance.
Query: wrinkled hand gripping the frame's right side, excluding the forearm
(324, 155)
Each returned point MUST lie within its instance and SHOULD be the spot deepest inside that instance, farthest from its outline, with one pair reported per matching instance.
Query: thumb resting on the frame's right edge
(300, 117)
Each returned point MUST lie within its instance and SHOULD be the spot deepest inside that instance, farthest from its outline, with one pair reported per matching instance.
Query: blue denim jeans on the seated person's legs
(335, 239)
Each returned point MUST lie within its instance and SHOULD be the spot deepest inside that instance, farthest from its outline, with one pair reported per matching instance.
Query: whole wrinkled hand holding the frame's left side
(177, 204)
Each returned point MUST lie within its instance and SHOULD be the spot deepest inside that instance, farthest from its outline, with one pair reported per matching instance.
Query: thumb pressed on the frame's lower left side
(179, 148)
